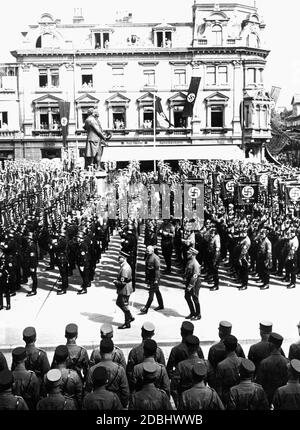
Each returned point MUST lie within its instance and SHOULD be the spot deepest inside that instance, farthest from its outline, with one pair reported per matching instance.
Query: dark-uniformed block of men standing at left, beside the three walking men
(71, 241)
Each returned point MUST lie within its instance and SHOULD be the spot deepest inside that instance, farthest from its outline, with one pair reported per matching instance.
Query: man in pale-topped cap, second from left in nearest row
(55, 400)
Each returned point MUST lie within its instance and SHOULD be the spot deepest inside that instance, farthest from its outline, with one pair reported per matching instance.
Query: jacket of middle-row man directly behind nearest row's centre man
(161, 377)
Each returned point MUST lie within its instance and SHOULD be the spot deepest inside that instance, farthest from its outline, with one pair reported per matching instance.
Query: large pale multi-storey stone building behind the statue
(119, 67)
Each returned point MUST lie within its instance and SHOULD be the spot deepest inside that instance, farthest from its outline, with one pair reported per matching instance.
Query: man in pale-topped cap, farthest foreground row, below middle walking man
(136, 354)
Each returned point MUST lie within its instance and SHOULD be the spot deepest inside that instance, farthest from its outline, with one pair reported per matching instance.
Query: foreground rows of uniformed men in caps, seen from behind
(105, 380)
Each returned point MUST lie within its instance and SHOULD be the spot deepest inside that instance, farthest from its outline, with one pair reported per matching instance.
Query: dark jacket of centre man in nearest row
(150, 398)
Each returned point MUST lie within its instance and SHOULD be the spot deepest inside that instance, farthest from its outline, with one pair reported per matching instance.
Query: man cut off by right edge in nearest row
(288, 396)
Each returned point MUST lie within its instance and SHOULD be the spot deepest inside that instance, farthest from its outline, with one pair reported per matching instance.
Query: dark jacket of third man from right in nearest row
(200, 397)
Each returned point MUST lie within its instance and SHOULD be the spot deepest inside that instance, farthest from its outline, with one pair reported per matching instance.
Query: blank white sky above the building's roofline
(281, 32)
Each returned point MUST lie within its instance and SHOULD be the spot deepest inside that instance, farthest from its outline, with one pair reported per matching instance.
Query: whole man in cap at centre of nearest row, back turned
(149, 398)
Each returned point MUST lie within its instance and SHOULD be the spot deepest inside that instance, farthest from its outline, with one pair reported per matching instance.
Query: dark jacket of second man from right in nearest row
(247, 395)
